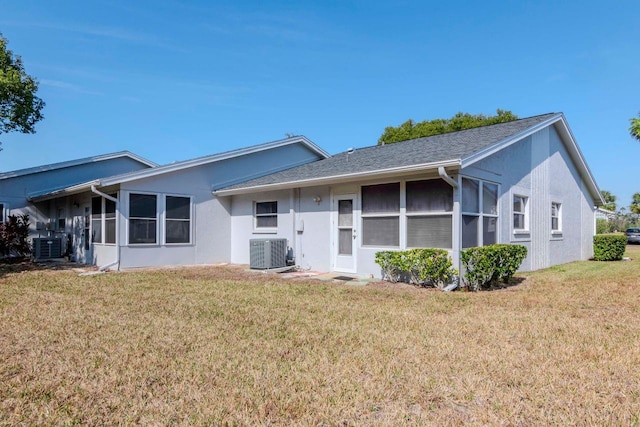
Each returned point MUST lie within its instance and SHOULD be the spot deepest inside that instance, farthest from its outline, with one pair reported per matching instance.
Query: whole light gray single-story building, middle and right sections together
(522, 182)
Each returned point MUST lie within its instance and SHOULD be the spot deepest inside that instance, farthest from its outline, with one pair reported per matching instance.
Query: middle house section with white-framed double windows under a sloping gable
(167, 215)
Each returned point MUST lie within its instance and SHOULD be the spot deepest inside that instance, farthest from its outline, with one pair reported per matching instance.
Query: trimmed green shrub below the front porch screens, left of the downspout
(423, 267)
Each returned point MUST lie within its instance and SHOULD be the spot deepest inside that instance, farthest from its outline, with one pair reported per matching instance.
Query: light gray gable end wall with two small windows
(540, 168)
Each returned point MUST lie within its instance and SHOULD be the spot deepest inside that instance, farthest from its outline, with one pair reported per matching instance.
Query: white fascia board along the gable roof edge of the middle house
(133, 176)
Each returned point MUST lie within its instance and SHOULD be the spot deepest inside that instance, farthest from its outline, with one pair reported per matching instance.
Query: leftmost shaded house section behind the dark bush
(61, 218)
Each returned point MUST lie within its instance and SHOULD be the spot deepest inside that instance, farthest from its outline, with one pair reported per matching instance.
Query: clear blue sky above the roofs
(172, 80)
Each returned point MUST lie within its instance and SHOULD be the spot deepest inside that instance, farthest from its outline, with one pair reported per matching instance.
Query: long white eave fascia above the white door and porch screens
(334, 179)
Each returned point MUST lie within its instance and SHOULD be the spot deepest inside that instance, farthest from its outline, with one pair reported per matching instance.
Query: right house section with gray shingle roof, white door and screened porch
(522, 182)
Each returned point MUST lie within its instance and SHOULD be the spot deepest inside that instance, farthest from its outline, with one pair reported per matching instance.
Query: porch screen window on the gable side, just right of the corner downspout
(479, 213)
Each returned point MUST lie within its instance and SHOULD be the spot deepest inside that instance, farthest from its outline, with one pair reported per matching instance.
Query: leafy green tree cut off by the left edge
(20, 108)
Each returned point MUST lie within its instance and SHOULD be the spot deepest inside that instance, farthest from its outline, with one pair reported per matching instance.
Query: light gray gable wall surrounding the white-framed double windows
(211, 222)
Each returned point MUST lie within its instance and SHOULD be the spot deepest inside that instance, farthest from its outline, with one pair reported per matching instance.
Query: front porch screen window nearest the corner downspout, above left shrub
(429, 218)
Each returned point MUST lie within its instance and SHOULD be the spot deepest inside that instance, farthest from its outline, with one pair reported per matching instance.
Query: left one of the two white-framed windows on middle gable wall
(143, 218)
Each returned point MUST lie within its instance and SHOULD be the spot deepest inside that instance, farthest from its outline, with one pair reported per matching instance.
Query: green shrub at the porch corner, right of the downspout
(487, 265)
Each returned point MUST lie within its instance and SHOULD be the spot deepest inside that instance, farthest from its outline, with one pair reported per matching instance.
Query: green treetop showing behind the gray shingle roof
(461, 121)
